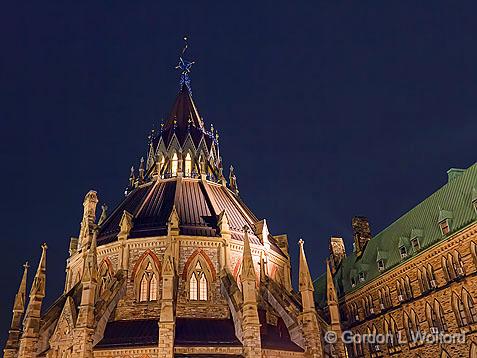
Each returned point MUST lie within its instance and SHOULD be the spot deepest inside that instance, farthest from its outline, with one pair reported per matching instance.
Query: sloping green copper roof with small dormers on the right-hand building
(455, 199)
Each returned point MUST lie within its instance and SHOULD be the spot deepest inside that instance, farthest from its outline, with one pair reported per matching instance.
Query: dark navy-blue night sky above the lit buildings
(327, 110)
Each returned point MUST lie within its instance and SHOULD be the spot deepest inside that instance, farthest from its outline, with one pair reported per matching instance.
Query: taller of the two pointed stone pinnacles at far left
(31, 323)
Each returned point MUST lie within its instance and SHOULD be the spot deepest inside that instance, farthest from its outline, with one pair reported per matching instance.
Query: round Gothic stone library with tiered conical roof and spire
(180, 268)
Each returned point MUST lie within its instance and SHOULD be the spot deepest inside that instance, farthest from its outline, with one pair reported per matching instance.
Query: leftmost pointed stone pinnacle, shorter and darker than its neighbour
(13, 341)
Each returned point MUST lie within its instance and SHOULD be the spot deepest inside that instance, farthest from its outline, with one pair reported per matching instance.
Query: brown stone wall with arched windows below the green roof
(462, 243)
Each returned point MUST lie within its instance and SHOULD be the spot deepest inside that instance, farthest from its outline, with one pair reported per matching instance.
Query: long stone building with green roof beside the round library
(415, 283)
